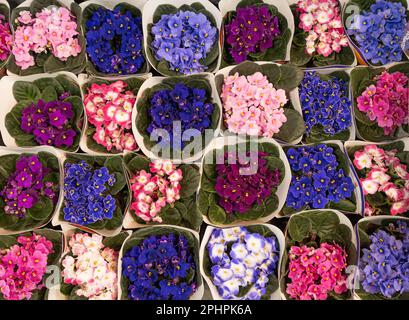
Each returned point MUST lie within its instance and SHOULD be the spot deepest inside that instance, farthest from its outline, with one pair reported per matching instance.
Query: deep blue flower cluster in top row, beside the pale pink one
(114, 41)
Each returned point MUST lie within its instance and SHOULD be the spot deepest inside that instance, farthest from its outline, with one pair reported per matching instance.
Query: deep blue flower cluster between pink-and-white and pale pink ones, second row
(184, 104)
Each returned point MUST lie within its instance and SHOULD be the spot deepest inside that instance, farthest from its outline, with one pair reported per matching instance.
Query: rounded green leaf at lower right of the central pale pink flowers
(293, 128)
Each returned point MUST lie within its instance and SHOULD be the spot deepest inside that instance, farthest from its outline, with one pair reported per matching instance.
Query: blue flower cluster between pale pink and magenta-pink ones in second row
(325, 103)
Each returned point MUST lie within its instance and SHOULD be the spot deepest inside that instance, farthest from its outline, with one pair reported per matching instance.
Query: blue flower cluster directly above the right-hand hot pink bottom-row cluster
(316, 178)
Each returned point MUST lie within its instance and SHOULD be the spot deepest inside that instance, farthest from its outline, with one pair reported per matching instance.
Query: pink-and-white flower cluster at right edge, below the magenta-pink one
(384, 173)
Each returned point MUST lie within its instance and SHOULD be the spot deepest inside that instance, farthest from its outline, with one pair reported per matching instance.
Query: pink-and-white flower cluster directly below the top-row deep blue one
(109, 109)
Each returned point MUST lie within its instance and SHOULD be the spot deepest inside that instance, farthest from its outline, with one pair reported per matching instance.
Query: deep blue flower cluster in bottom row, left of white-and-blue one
(160, 268)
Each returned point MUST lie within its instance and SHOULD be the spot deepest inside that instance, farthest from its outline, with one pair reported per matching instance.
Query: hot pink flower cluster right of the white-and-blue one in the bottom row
(315, 272)
